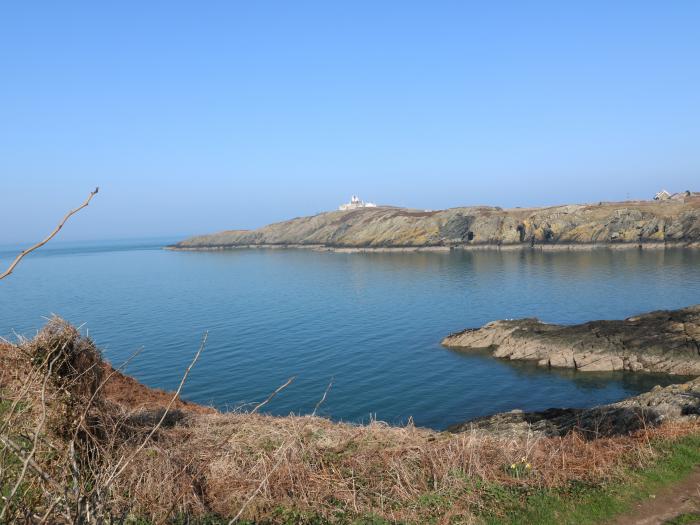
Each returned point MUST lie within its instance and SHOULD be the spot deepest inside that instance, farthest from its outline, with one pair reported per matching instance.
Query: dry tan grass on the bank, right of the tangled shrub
(315, 464)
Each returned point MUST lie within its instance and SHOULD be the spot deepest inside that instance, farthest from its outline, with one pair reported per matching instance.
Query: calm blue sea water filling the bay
(370, 322)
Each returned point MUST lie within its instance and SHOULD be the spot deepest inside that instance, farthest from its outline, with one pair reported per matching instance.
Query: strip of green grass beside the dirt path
(580, 504)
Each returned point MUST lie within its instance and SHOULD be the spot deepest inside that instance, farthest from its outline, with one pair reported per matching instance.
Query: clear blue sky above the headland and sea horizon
(195, 117)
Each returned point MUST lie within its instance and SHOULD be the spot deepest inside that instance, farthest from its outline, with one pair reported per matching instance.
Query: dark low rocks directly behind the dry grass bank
(650, 409)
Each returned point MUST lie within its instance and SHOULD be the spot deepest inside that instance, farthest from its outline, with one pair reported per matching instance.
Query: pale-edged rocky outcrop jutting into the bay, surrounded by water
(663, 341)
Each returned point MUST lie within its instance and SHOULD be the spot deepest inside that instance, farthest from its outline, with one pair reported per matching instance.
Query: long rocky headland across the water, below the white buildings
(627, 223)
